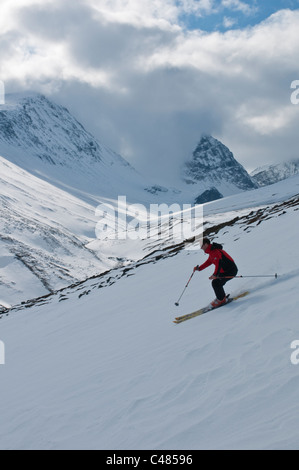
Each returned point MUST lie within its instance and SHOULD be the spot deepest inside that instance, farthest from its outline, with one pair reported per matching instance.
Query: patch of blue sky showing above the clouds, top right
(235, 14)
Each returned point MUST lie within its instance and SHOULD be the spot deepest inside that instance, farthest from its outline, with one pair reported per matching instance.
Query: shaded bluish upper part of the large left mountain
(46, 140)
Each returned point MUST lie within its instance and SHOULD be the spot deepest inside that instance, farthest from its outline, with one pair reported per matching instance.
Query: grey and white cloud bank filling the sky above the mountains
(147, 87)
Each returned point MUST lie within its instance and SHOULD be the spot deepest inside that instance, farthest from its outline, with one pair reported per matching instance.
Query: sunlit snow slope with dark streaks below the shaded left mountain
(43, 236)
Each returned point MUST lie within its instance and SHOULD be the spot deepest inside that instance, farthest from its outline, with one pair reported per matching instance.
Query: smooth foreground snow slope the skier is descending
(101, 365)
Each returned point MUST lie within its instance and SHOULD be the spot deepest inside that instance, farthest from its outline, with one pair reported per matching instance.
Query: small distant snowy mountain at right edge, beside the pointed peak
(270, 174)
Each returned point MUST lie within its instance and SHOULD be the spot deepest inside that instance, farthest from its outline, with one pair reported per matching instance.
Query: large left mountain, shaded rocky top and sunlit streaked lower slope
(53, 176)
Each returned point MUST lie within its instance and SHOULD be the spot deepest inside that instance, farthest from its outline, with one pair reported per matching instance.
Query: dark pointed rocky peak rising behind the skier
(215, 171)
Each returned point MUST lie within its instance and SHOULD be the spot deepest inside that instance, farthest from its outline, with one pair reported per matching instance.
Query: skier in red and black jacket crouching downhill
(224, 266)
